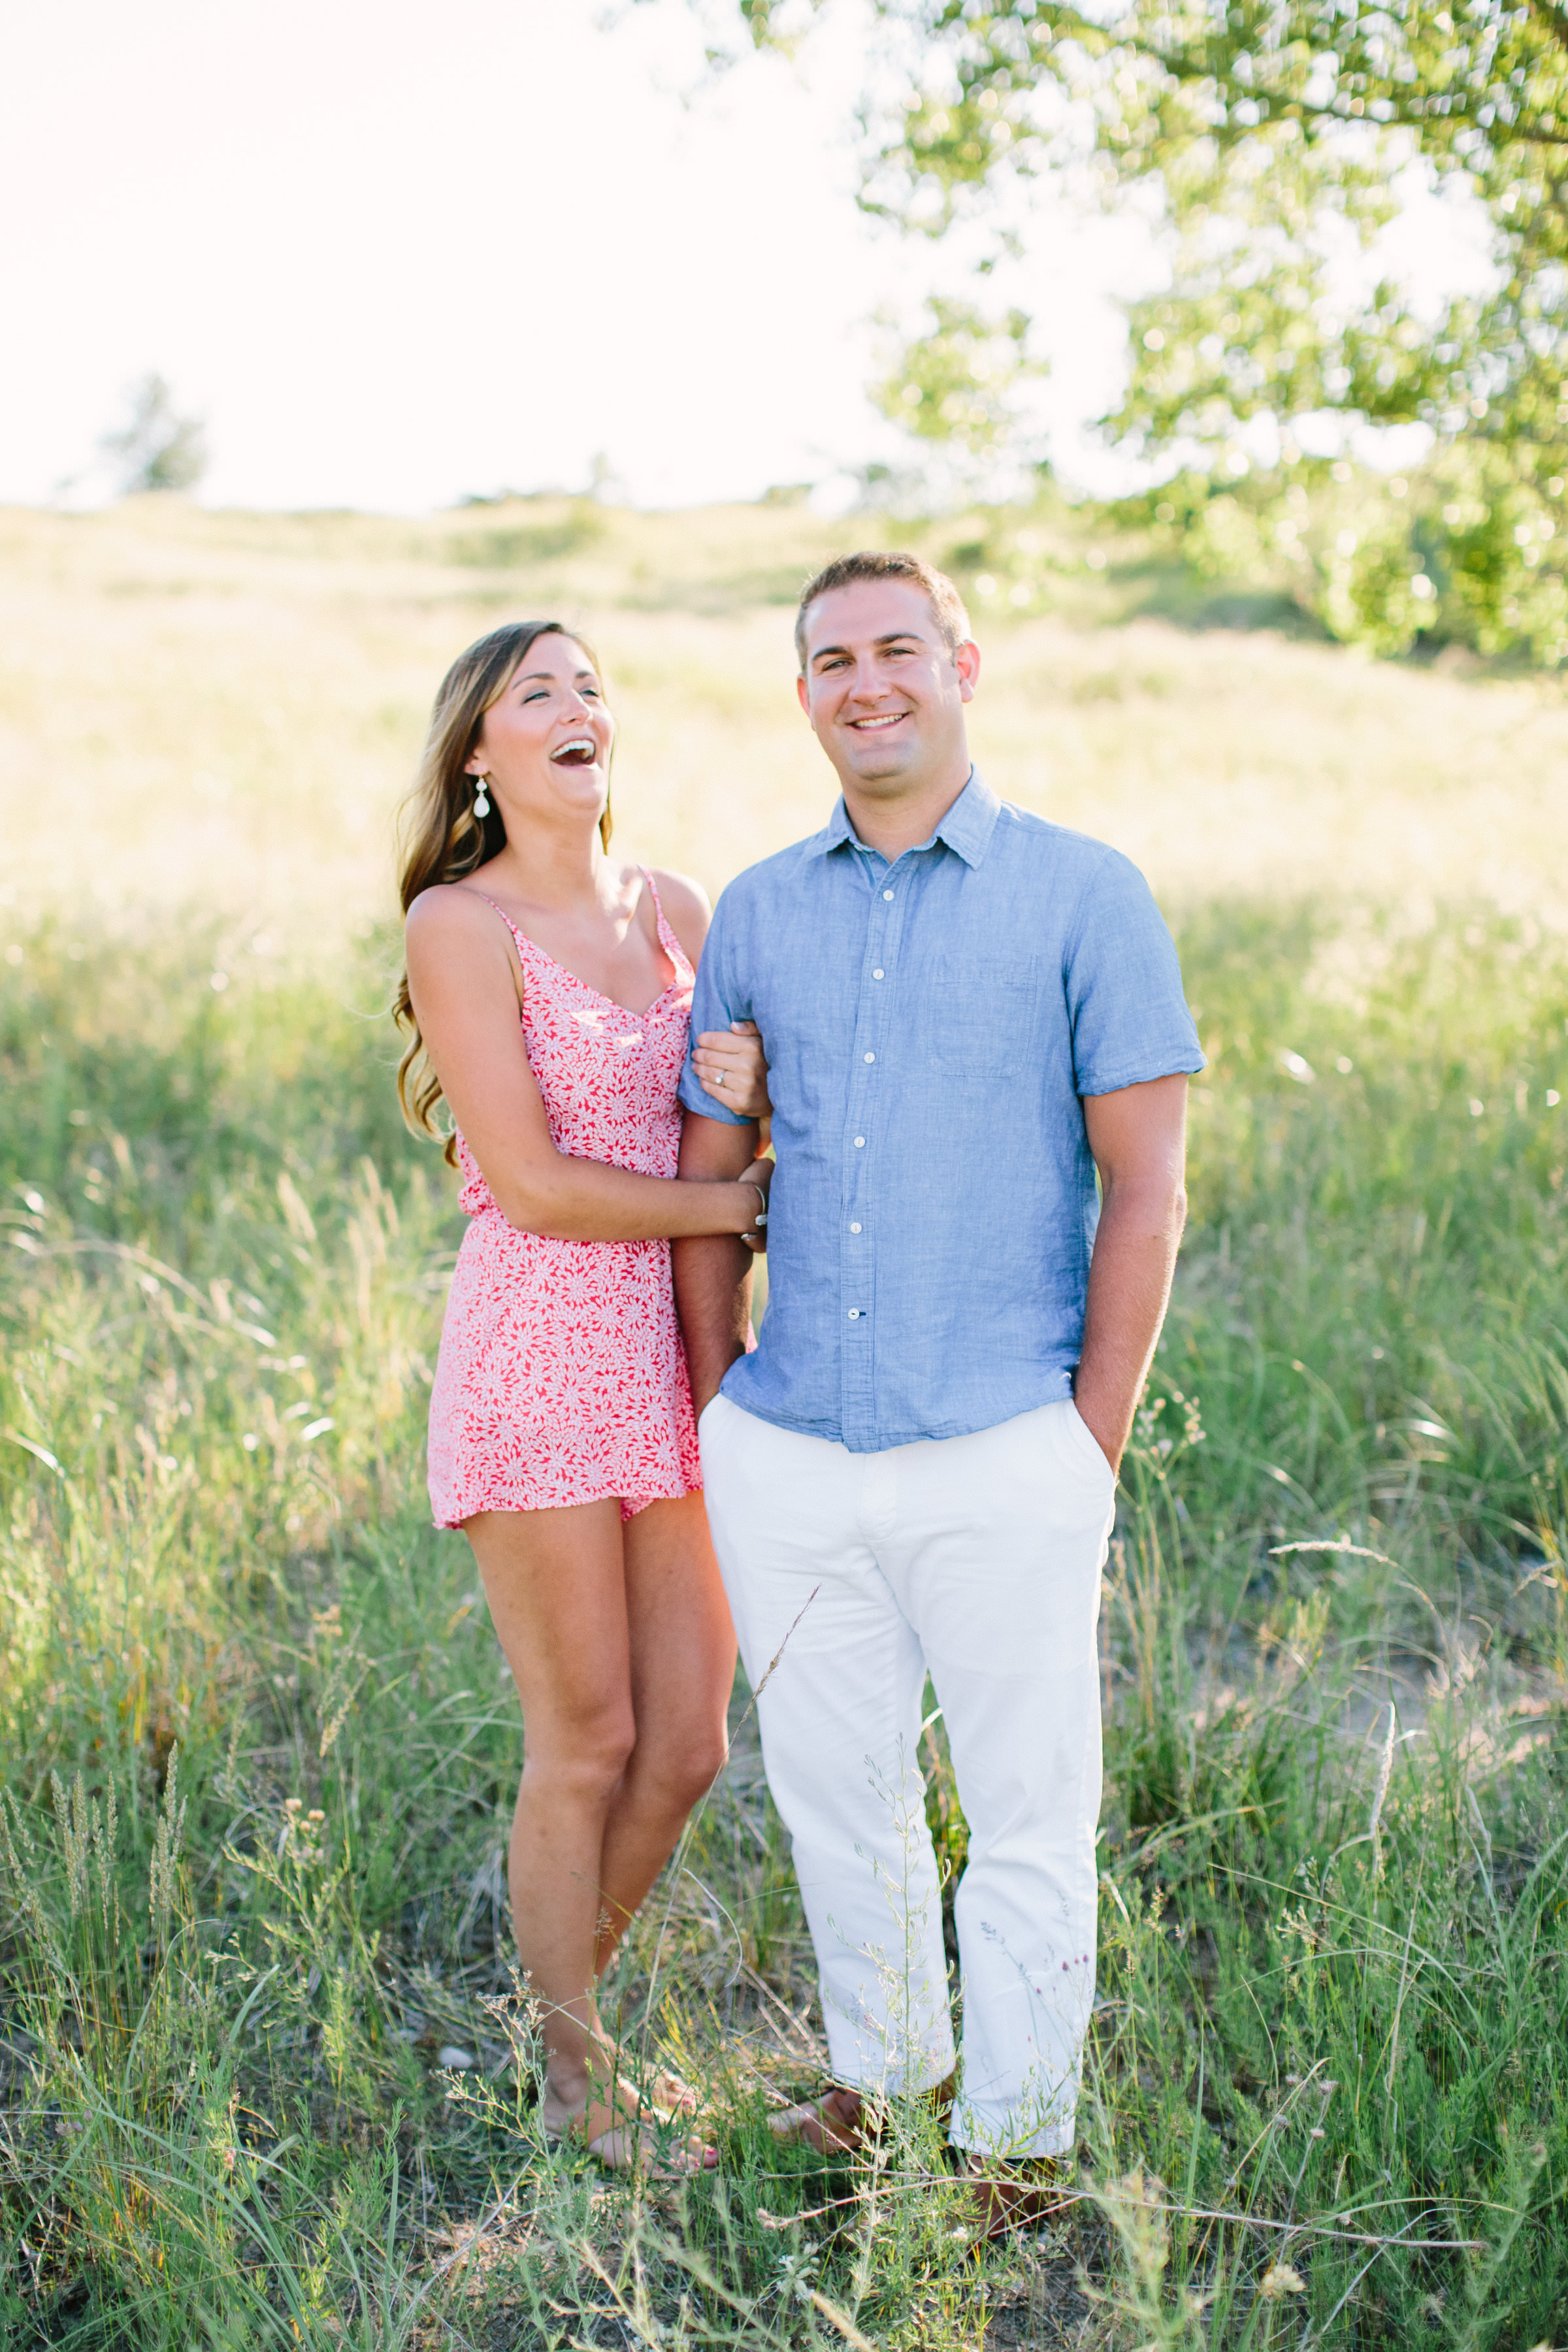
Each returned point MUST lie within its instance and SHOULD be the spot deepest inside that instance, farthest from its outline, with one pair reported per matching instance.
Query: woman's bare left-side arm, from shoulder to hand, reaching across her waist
(467, 998)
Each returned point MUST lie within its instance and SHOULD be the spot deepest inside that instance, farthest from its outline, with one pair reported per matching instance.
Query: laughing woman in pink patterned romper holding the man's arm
(547, 998)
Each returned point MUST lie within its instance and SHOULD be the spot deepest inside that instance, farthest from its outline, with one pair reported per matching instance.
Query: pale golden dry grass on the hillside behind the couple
(225, 711)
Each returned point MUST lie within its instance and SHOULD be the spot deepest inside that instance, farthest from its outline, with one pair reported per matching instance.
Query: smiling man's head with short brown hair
(883, 688)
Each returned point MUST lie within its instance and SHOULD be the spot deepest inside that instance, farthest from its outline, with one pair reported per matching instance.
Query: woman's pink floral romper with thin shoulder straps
(563, 1375)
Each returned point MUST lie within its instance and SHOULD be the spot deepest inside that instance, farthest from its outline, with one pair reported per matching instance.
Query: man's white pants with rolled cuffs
(850, 1577)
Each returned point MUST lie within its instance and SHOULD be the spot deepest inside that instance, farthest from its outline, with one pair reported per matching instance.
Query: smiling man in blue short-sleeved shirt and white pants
(970, 1015)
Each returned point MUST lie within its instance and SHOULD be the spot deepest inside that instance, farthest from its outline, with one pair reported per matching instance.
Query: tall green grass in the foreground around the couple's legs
(267, 2066)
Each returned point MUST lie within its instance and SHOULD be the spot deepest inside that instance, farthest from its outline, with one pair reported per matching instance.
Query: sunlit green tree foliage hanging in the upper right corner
(1268, 133)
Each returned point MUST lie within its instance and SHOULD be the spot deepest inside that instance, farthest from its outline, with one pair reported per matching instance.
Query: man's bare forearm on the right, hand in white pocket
(1130, 1285)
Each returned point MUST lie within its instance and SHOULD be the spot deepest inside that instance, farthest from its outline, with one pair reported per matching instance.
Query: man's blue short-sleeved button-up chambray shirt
(930, 1031)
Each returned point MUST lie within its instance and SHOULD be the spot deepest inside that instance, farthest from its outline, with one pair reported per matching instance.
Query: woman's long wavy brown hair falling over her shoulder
(443, 838)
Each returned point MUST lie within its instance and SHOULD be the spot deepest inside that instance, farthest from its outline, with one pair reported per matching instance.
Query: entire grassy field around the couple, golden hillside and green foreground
(267, 2076)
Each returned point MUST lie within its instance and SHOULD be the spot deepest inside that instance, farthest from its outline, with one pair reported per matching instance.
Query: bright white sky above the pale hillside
(398, 253)
